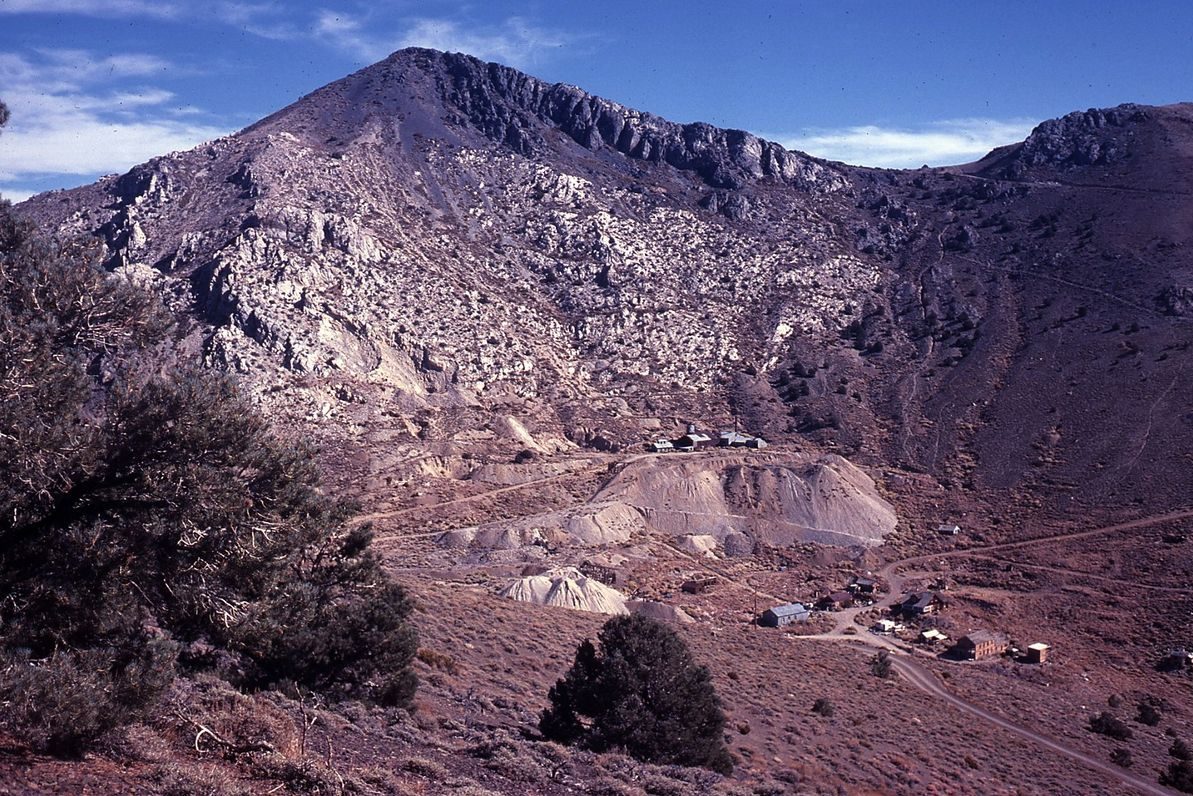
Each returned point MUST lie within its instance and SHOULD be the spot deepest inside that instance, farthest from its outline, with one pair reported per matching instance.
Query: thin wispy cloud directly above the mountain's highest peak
(516, 42)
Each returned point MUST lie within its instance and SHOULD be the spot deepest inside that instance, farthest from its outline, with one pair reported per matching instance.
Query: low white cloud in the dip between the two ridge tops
(938, 144)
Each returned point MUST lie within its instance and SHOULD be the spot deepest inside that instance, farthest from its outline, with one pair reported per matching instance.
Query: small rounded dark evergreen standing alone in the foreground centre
(641, 694)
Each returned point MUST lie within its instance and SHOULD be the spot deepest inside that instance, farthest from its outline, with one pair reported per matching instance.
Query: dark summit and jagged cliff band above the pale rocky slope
(453, 96)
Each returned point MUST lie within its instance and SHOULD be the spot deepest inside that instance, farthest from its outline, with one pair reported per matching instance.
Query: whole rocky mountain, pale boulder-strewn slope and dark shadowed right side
(441, 255)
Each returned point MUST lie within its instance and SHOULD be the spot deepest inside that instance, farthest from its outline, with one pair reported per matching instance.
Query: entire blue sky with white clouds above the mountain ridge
(97, 87)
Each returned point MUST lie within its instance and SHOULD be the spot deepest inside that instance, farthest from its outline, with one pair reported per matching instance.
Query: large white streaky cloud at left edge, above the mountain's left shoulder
(73, 118)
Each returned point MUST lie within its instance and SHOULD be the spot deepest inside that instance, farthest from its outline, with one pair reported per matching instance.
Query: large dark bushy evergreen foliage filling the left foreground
(152, 523)
